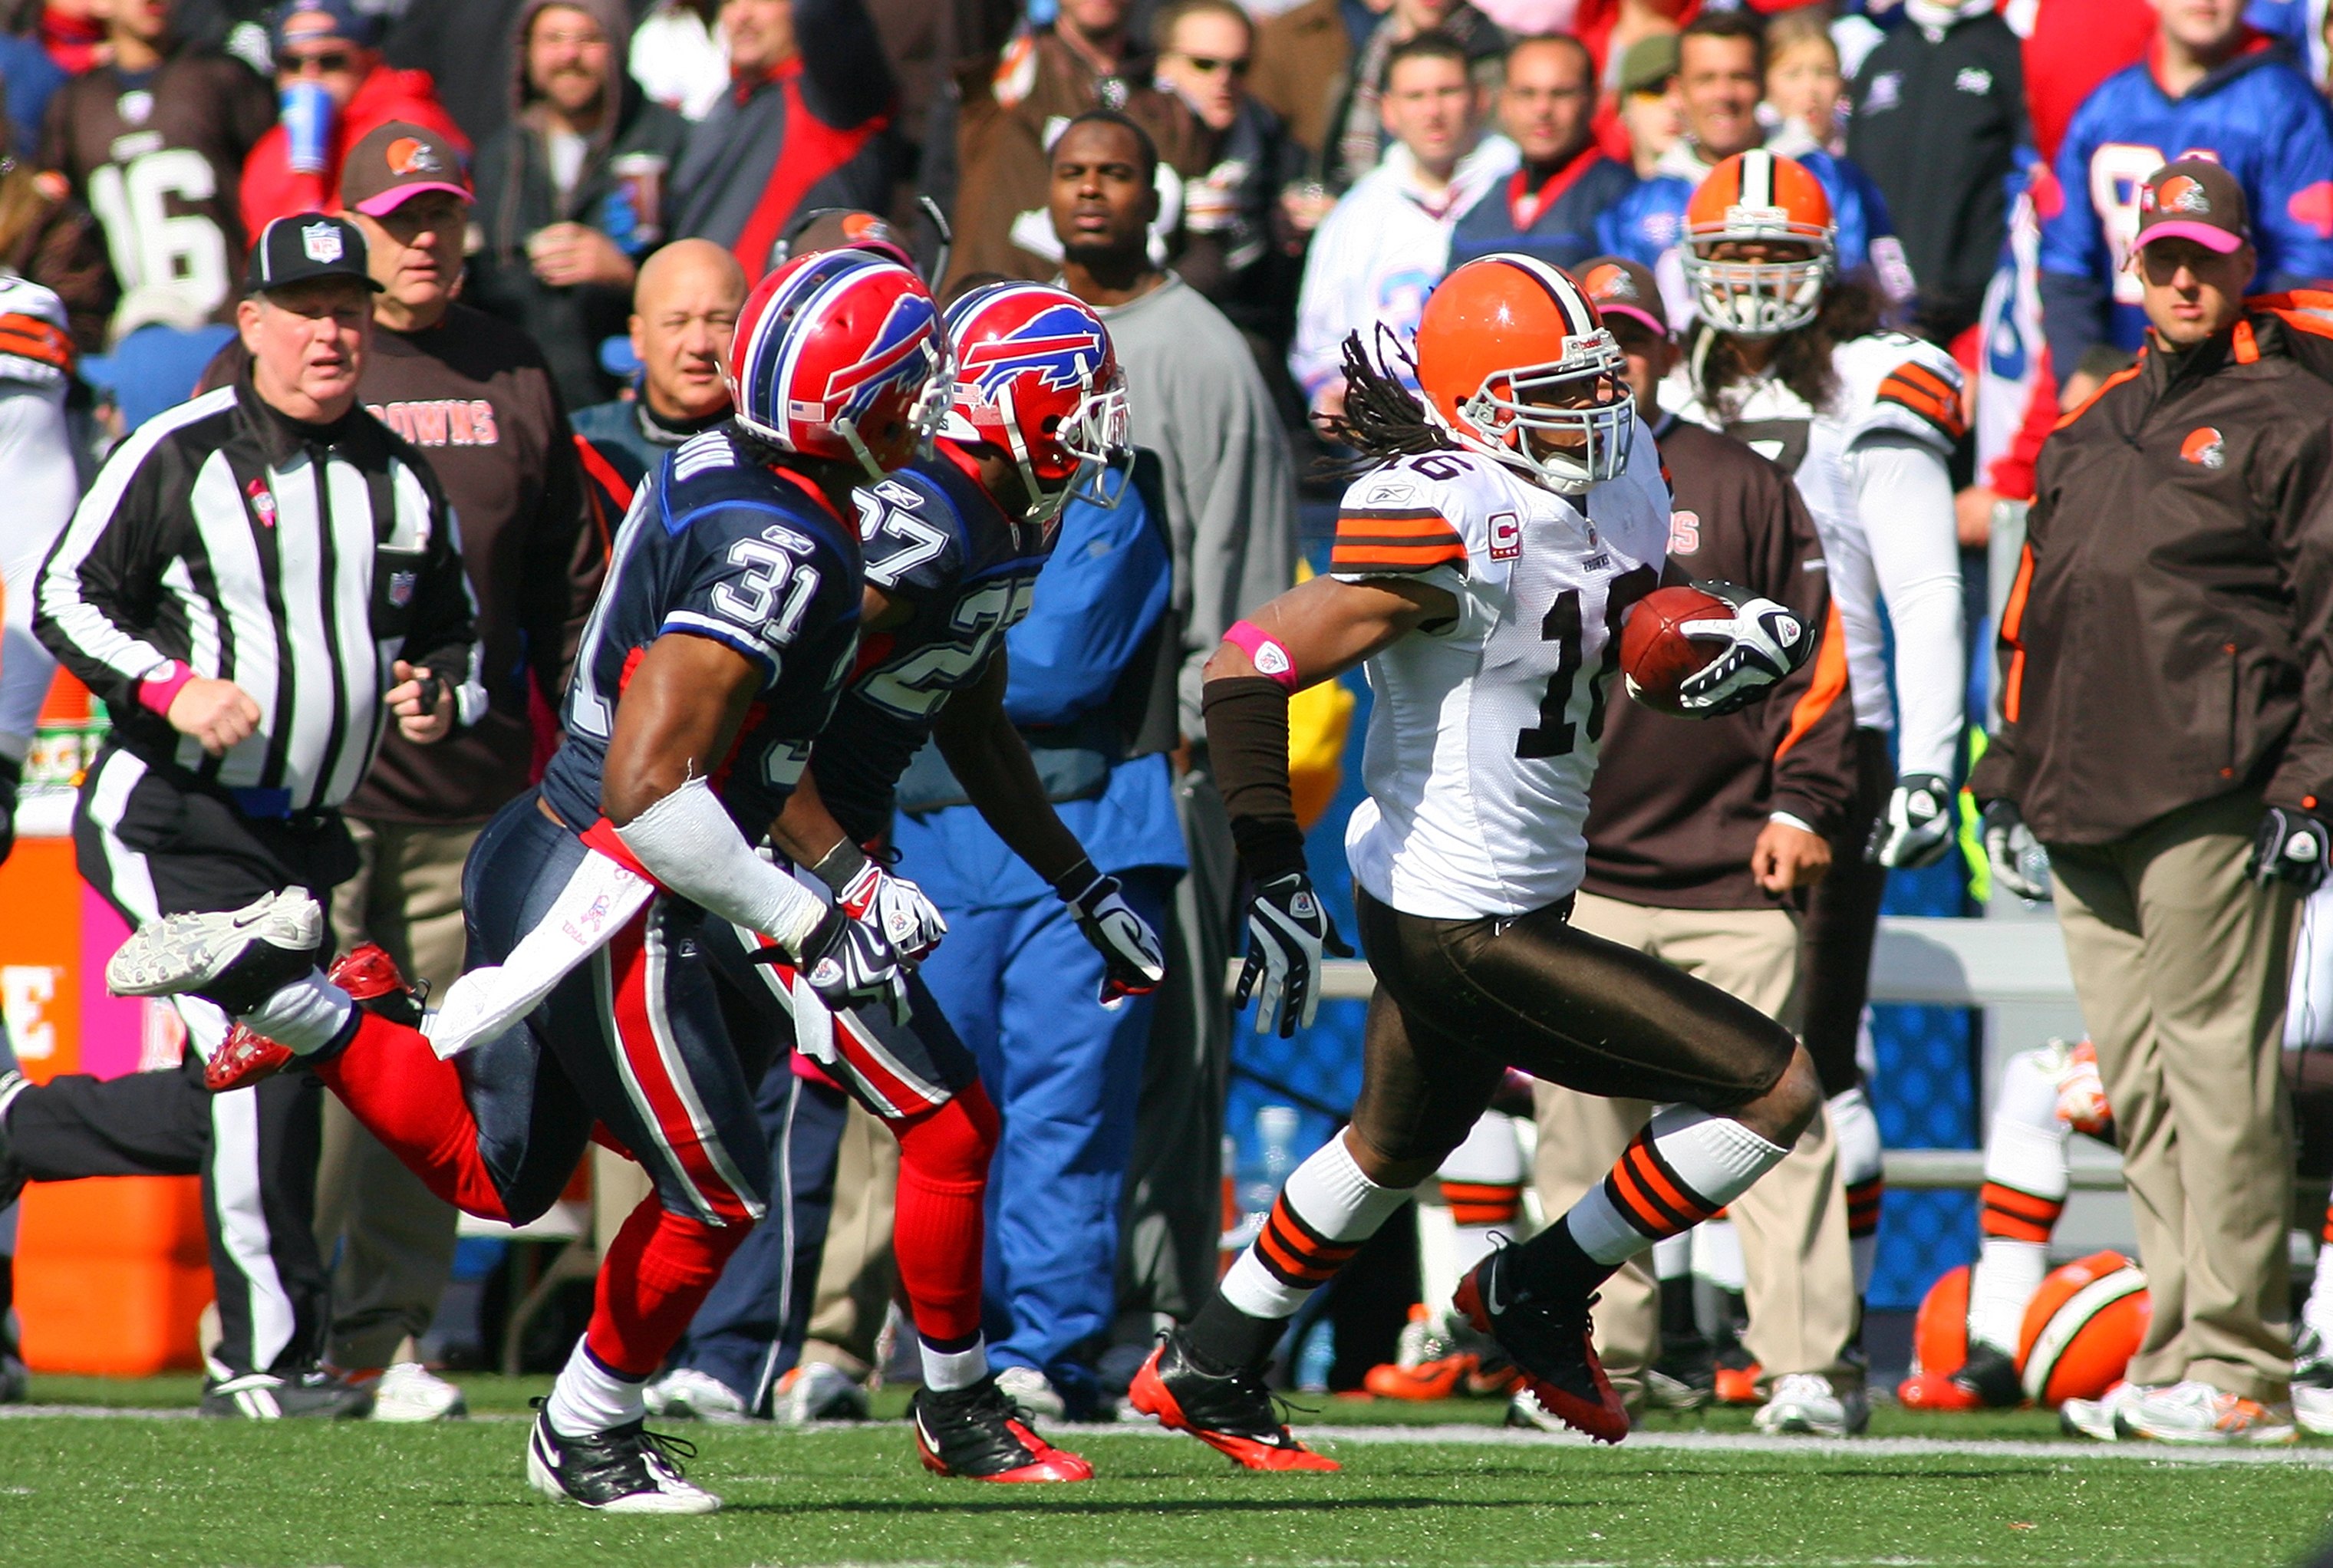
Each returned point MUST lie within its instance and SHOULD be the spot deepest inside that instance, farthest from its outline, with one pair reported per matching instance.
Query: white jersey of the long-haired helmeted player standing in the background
(1886, 381)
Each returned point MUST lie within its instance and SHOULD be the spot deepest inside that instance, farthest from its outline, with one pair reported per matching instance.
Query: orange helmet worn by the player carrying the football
(1518, 365)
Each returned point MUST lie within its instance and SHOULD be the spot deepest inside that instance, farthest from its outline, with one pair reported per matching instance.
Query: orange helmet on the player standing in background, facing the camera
(1767, 199)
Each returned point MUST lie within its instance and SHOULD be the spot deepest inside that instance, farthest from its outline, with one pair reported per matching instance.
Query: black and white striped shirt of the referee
(293, 563)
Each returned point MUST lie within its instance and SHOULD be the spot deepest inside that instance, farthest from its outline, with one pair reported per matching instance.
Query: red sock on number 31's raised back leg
(414, 1105)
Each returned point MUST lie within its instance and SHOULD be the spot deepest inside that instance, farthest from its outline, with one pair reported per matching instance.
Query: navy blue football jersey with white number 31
(720, 547)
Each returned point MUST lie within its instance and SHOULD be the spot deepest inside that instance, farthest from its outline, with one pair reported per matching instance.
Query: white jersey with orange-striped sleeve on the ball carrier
(1483, 738)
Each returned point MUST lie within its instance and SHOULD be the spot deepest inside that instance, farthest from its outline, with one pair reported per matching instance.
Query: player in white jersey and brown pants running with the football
(1483, 570)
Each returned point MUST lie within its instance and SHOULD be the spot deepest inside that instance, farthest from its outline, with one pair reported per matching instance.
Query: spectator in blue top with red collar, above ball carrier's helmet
(1550, 206)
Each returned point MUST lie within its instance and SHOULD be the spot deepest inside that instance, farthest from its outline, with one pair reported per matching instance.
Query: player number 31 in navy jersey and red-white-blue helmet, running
(727, 629)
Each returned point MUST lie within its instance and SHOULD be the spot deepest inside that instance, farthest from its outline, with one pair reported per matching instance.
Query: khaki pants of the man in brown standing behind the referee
(395, 1238)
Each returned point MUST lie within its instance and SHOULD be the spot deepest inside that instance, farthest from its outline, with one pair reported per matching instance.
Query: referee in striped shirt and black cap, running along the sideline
(255, 582)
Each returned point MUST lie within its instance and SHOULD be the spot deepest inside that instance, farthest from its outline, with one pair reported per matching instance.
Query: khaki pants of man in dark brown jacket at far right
(2180, 965)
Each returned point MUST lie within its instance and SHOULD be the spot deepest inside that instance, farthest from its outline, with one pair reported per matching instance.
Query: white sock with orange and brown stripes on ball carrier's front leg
(1676, 1175)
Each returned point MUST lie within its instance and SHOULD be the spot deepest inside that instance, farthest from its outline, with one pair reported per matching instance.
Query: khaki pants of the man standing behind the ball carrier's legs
(1793, 1224)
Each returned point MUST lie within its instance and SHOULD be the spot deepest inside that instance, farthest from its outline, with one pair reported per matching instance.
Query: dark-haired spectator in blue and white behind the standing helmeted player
(1721, 78)
